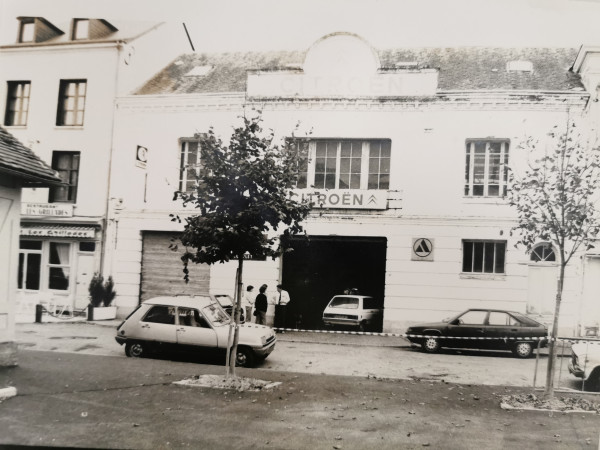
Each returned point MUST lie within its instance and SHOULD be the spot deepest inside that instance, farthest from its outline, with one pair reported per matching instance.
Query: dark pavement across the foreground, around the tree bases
(76, 400)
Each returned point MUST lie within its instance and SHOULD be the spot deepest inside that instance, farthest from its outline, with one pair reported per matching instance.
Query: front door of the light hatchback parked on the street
(194, 332)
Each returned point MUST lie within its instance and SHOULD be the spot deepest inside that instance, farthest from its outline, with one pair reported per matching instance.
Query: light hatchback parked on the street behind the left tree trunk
(191, 324)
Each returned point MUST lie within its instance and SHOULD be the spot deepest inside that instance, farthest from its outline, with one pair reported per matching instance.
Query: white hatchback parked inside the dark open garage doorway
(361, 311)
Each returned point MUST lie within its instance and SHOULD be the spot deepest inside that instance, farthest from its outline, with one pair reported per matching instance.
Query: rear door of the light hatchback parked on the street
(157, 327)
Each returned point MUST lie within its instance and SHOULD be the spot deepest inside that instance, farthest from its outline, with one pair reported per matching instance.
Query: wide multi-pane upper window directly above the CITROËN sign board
(344, 164)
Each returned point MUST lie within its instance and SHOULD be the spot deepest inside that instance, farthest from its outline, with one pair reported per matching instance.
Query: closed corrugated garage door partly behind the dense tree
(162, 269)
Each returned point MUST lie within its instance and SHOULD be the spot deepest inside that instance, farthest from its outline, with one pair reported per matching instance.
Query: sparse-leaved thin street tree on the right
(556, 201)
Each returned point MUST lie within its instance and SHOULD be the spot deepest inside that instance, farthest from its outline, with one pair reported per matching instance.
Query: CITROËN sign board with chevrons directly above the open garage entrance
(344, 198)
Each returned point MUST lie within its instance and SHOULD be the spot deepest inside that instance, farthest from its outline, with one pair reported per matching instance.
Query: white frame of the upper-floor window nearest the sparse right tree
(470, 165)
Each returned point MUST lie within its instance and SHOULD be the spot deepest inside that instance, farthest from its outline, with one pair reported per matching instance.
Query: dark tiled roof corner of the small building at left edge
(18, 160)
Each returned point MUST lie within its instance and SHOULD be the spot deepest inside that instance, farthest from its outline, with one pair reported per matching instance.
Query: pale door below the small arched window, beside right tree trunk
(541, 291)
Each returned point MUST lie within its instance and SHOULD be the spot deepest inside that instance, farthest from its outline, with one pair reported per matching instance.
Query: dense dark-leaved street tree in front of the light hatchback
(243, 196)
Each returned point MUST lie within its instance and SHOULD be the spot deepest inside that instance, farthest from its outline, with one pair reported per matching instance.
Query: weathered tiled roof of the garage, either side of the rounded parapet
(461, 68)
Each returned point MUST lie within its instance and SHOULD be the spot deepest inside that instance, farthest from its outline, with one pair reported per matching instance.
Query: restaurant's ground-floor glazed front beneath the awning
(44, 265)
